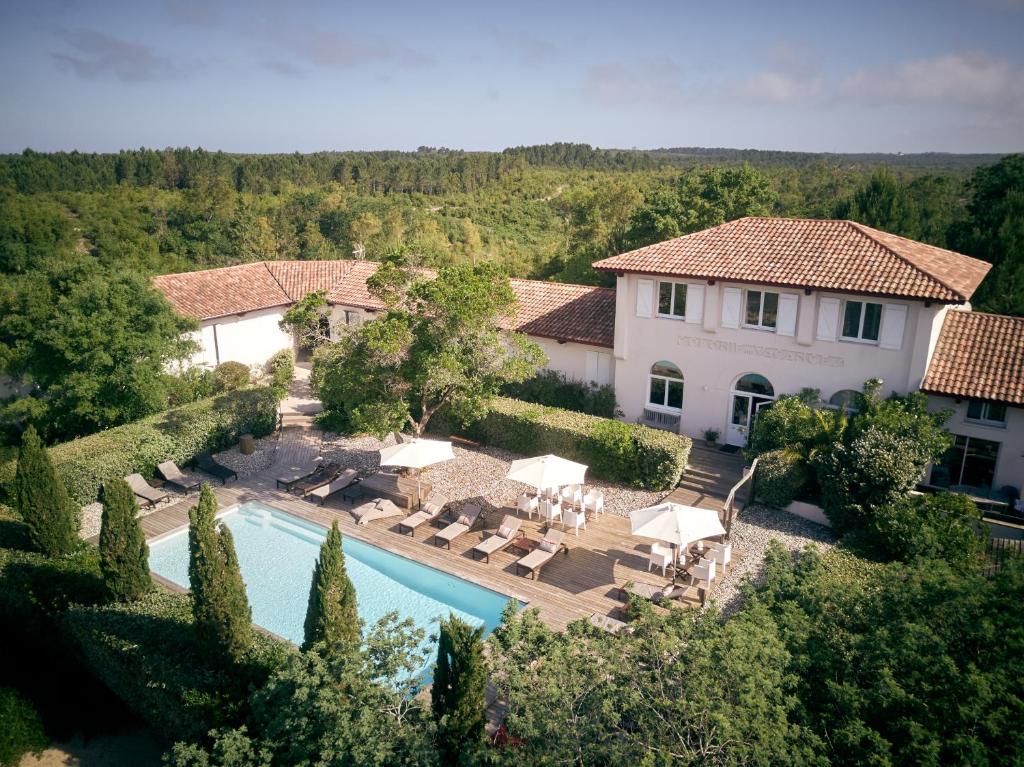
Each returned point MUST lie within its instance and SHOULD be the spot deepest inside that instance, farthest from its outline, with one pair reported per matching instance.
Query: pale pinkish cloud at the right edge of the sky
(965, 79)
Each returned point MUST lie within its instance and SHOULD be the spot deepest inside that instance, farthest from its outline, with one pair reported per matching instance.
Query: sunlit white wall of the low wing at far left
(251, 338)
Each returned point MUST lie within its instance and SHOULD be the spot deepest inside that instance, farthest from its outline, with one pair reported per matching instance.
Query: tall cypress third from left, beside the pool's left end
(224, 621)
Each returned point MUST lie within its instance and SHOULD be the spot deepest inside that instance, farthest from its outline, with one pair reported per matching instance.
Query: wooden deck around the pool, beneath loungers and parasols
(573, 586)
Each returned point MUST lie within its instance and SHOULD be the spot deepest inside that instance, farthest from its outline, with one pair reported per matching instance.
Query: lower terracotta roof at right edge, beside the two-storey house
(980, 357)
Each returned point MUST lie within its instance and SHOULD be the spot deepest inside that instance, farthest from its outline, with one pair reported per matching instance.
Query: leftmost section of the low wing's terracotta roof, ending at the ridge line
(231, 290)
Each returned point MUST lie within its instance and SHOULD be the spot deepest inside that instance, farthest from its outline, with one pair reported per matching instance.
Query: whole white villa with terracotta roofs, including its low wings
(704, 331)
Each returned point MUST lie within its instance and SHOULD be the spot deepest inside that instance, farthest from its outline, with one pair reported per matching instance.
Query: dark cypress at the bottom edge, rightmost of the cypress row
(458, 693)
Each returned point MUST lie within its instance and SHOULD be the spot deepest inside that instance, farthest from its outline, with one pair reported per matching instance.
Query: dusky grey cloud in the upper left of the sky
(95, 55)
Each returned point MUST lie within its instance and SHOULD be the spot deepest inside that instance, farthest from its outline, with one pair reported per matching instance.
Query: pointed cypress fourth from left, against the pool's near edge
(331, 617)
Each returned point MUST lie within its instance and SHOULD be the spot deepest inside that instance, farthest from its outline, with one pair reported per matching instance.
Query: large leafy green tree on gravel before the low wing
(439, 345)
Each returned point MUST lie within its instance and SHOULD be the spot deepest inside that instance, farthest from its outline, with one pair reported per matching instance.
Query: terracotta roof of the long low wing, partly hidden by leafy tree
(565, 313)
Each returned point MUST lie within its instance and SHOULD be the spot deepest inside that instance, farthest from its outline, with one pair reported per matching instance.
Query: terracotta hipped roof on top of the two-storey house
(841, 257)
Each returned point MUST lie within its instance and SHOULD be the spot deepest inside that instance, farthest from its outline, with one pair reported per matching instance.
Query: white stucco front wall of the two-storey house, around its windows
(713, 358)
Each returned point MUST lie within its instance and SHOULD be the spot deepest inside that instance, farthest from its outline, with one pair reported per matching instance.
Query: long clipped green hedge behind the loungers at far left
(178, 435)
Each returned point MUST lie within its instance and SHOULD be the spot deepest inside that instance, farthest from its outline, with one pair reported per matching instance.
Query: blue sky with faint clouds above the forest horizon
(269, 77)
